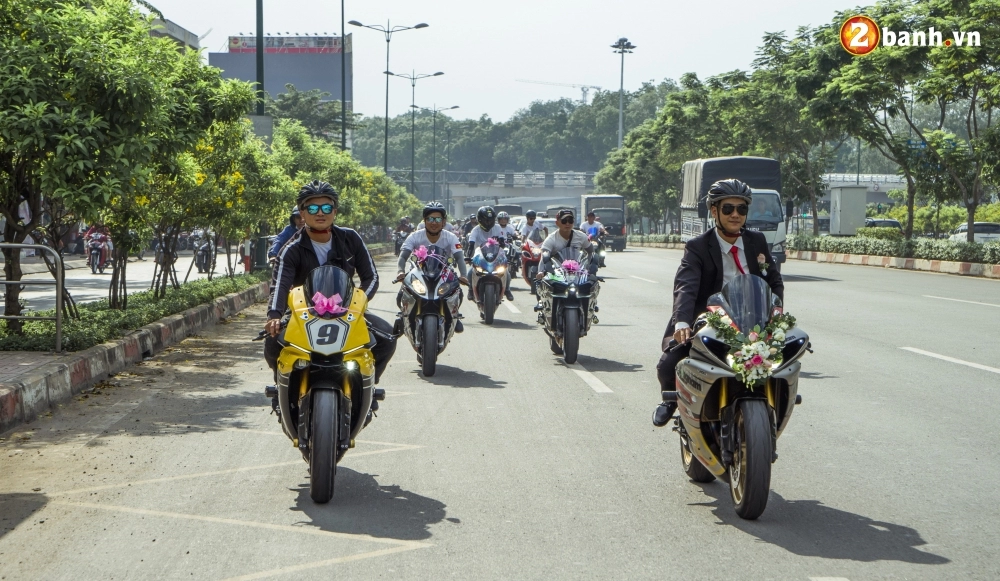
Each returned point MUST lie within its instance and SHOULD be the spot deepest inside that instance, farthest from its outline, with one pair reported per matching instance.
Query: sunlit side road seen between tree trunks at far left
(85, 286)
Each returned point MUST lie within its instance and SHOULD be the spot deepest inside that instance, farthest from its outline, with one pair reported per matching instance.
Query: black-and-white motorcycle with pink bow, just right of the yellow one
(429, 303)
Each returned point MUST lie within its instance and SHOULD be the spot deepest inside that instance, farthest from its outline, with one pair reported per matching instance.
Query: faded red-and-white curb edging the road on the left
(45, 387)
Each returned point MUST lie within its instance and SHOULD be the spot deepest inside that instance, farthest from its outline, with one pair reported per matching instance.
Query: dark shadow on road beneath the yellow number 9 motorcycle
(361, 506)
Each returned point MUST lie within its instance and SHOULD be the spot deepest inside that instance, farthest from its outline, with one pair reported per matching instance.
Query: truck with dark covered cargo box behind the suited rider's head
(762, 174)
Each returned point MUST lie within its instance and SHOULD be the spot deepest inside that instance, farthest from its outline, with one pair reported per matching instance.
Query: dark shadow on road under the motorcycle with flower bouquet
(810, 529)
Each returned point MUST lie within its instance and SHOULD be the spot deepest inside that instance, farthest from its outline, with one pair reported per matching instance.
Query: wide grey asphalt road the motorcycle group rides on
(509, 465)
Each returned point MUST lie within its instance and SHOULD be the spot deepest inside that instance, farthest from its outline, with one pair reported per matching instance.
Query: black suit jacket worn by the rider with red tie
(700, 274)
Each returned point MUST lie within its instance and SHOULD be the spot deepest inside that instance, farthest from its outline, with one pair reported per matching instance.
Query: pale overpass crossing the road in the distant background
(463, 192)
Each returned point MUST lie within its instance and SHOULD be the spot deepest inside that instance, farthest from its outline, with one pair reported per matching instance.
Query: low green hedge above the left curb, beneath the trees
(99, 323)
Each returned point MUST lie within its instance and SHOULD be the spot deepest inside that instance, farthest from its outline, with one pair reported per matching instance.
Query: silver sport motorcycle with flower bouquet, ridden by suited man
(729, 429)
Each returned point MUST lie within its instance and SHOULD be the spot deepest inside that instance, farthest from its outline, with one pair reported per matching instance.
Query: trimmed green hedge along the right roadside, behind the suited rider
(925, 248)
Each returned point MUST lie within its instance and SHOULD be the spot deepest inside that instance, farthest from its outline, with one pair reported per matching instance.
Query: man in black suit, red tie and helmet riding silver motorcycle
(710, 261)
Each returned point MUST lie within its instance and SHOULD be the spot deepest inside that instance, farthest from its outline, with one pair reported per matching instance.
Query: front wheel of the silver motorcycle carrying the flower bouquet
(750, 474)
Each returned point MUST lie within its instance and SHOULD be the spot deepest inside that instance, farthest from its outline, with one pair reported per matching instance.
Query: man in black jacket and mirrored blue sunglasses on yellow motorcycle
(316, 244)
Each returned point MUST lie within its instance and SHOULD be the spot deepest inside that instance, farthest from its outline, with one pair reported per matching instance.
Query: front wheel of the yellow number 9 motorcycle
(323, 445)
